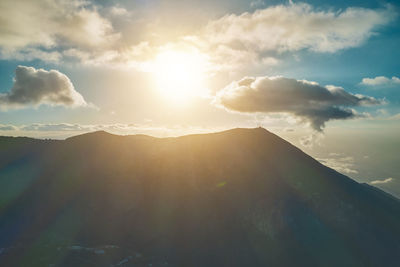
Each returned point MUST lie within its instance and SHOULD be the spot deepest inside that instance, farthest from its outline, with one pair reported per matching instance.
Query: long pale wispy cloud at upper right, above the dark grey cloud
(298, 26)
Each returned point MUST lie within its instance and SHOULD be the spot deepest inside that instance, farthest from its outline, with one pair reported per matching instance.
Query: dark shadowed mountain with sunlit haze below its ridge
(243, 197)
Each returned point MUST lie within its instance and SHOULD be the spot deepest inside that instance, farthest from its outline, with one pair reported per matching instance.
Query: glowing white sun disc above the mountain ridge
(180, 75)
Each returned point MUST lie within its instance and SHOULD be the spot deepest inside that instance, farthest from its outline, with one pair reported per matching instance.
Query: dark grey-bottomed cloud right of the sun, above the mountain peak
(304, 99)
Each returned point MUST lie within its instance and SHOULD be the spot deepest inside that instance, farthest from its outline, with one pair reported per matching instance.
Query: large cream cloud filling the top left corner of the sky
(27, 25)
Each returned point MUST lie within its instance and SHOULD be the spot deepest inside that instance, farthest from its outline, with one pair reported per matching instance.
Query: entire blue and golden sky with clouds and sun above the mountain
(324, 75)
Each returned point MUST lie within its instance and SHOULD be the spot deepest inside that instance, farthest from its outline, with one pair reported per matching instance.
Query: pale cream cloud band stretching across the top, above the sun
(61, 30)
